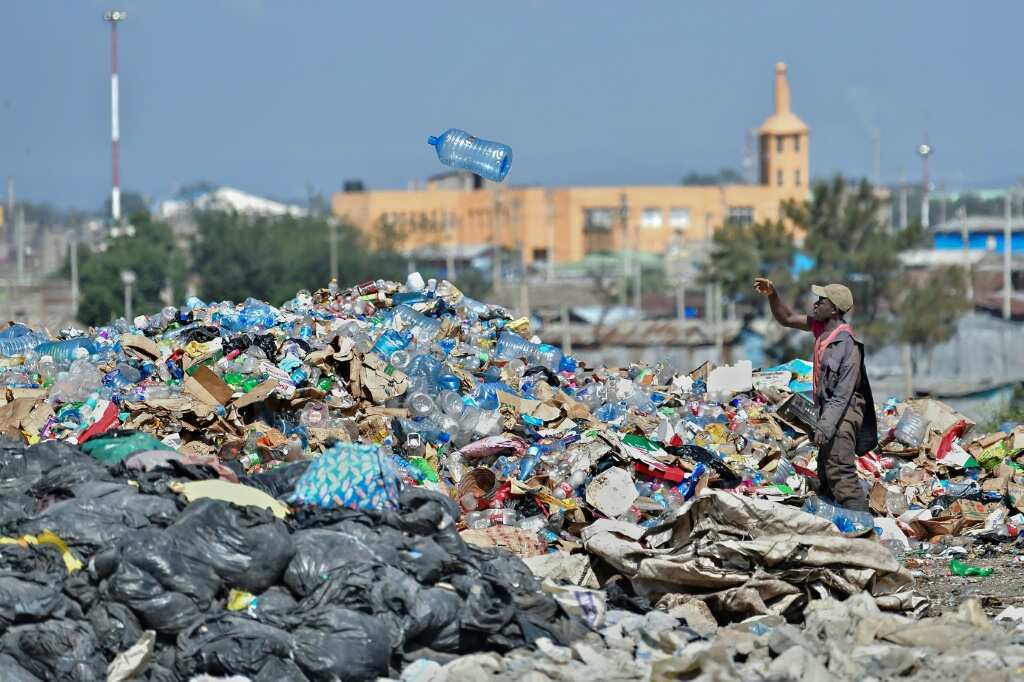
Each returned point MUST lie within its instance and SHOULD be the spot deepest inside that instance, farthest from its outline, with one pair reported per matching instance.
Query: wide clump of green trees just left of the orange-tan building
(272, 258)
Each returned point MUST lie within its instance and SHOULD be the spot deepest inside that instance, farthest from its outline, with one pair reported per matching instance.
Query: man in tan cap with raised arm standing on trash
(846, 425)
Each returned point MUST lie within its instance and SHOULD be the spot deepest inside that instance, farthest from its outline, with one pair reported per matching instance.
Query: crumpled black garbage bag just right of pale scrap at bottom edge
(231, 645)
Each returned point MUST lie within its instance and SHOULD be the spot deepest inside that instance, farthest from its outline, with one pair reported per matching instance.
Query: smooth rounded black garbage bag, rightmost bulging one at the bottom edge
(343, 645)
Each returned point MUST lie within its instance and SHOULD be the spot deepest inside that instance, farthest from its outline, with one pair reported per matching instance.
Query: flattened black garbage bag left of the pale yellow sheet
(100, 514)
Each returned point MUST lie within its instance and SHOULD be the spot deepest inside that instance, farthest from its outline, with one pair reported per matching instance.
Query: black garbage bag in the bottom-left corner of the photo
(61, 651)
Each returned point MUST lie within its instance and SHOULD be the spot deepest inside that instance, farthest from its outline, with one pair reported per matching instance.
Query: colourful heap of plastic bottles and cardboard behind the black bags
(463, 419)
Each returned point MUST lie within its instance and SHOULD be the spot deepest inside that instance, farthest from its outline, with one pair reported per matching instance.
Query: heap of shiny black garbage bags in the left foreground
(335, 595)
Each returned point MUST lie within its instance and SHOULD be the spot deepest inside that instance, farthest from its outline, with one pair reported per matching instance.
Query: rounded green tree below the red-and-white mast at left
(151, 253)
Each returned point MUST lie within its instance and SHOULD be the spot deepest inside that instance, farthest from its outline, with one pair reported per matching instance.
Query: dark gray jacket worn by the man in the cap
(843, 374)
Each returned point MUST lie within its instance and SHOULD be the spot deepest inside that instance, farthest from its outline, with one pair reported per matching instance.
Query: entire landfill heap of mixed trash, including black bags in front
(370, 477)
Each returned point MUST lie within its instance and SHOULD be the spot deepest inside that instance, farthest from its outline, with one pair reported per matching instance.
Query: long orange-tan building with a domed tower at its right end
(460, 210)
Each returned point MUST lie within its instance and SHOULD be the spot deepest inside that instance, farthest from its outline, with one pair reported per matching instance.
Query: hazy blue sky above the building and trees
(272, 96)
